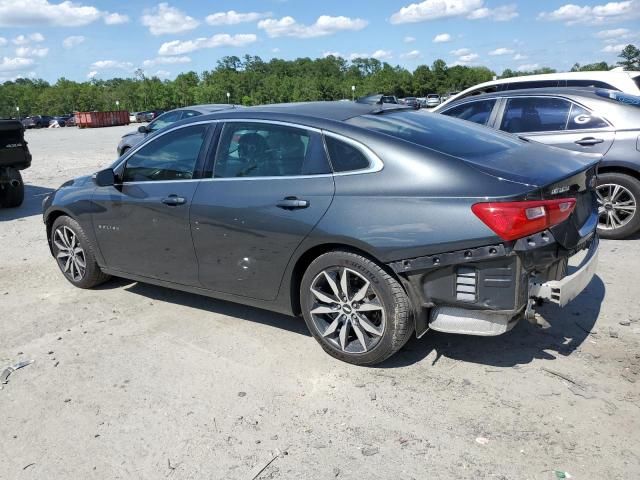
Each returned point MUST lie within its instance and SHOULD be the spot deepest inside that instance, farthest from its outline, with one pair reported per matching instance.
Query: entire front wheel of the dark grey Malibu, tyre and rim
(74, 254)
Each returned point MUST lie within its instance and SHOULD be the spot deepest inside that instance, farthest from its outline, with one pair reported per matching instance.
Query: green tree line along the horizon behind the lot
(251, 81)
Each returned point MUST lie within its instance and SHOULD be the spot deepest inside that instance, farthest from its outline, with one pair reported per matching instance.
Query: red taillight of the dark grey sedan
(512, 220)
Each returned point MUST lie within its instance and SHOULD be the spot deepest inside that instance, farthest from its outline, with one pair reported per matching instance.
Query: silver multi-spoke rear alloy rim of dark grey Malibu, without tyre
(346, 310)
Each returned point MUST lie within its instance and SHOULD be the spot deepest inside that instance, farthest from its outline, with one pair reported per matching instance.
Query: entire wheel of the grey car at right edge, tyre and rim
(618, 196)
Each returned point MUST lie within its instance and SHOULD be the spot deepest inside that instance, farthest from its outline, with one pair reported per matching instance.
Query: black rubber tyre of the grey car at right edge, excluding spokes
(632, 193)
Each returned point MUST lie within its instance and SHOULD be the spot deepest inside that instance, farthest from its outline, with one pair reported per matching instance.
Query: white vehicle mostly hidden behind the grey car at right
(624, 81)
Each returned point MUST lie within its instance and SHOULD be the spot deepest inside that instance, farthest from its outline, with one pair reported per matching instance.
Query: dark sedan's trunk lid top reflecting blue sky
(534, 164)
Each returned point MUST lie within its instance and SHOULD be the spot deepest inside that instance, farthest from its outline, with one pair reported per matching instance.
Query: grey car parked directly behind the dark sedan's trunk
(586, 120)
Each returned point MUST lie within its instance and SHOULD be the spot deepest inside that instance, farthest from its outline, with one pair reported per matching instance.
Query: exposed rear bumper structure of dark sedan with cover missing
(485, 291)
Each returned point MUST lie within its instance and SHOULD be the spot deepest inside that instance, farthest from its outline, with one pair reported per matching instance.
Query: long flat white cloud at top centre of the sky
(324, 25)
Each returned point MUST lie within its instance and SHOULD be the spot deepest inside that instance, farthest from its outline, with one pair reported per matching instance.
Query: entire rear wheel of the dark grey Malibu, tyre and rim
(356, 311)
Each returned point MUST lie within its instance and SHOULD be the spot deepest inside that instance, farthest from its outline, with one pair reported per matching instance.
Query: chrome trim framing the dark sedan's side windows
(375, 163)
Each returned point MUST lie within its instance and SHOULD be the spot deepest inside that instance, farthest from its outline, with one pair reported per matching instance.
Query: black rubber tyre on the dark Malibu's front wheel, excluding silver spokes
(92, 275)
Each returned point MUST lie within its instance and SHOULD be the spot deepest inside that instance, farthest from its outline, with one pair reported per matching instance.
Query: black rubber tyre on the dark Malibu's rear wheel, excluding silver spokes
(397, 322)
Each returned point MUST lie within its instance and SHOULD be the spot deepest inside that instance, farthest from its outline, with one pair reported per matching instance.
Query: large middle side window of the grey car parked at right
(535, 114)
